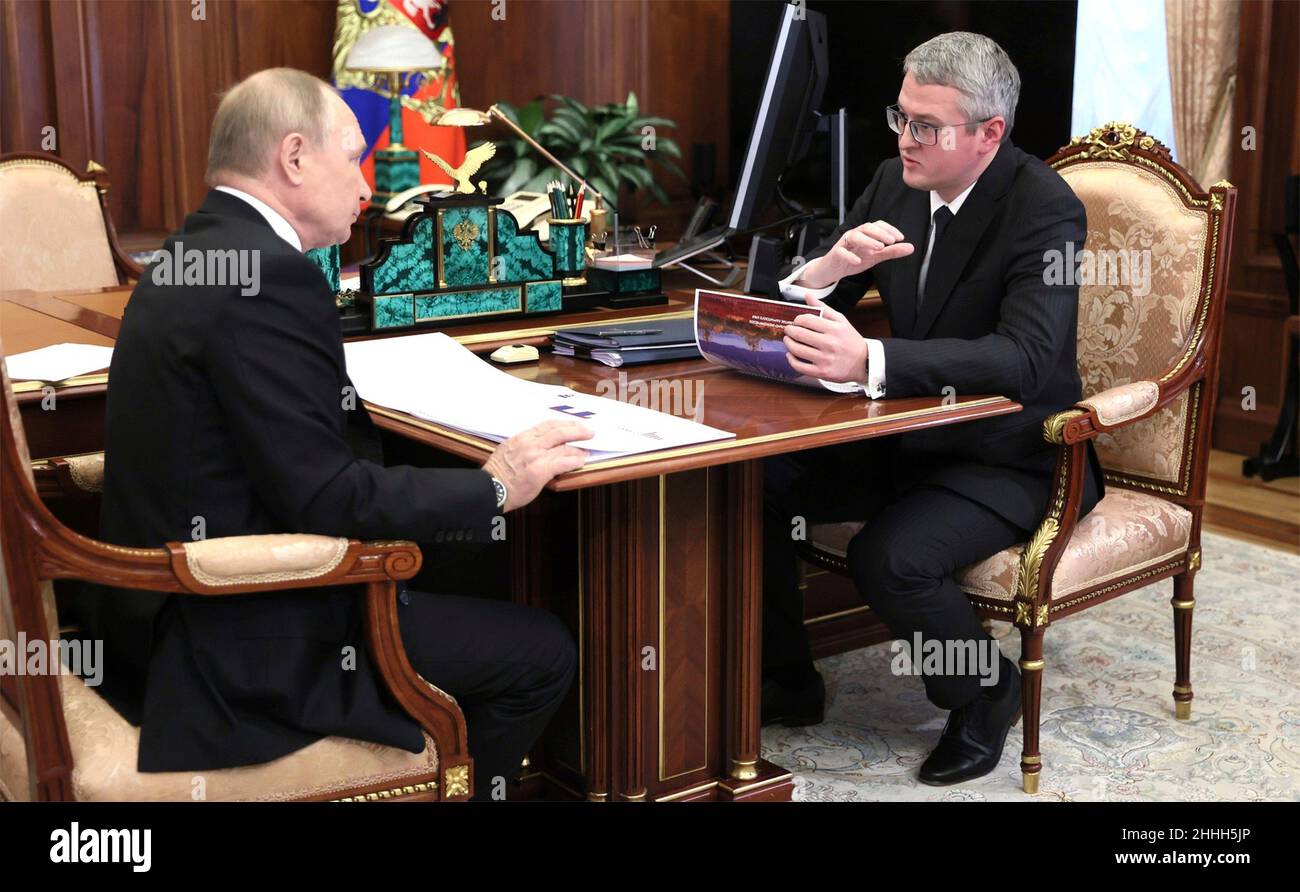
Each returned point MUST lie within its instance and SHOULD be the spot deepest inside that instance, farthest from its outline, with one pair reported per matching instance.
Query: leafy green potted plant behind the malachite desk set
(610, 146)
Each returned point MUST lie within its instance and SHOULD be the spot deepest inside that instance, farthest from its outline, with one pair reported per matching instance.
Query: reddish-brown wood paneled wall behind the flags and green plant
(135, 84)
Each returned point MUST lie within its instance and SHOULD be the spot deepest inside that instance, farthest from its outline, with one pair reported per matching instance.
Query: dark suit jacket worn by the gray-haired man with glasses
(989, 326)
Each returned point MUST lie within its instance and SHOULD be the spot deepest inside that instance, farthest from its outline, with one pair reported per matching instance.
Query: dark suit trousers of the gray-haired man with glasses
(917, 536)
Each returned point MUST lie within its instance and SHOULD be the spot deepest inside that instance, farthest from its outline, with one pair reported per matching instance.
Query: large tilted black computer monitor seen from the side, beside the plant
(786, 120)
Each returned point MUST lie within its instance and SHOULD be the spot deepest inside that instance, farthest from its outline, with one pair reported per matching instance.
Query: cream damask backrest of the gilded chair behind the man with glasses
(1152, 282)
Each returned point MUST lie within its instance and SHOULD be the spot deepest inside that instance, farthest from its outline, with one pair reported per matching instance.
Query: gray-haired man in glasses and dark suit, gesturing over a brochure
(955, 235)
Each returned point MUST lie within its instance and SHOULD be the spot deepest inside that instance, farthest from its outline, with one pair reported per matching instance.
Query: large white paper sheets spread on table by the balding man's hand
(435, 379)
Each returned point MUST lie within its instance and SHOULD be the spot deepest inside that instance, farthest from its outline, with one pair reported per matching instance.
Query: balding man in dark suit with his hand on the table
(231, 413)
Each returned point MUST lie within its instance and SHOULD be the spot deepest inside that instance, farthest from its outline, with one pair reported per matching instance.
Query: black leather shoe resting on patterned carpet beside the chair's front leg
(973, 741)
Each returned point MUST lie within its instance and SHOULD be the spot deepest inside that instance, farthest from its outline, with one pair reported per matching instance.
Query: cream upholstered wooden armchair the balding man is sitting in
(60, 741)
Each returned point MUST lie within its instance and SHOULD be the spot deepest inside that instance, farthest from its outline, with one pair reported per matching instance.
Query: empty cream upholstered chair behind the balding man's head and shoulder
(59, 235)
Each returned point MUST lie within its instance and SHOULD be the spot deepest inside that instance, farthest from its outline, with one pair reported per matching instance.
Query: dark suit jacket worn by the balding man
(232, 409)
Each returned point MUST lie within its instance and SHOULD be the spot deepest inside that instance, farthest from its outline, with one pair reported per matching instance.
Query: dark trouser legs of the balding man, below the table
(509, 666)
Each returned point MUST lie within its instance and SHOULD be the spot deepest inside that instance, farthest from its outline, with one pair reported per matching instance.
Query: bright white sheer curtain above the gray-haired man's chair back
(1121, 68)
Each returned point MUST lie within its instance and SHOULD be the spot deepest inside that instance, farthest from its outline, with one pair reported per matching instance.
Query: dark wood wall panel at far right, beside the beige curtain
(1268, 99)
